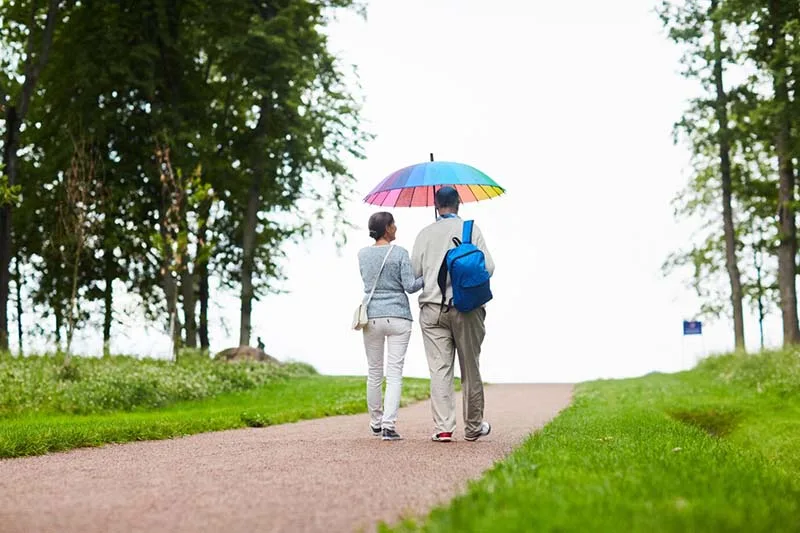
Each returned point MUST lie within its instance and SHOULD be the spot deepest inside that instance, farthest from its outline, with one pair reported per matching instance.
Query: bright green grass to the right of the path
(713, 449)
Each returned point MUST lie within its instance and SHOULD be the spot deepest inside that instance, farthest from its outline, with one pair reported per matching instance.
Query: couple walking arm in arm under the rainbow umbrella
(454, 278)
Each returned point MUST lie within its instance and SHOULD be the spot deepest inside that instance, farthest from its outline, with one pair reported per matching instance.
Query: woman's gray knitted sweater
(397, 278)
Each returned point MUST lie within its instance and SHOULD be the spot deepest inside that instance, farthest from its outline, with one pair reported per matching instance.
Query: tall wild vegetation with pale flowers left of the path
(121, 383)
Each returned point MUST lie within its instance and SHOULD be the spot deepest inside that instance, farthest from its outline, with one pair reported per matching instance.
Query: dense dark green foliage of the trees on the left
(246, 98)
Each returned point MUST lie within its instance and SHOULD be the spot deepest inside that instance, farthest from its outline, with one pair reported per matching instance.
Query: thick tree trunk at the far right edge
(787, 249)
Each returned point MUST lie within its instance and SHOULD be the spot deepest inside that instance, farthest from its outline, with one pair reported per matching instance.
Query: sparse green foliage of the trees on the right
(750, 67)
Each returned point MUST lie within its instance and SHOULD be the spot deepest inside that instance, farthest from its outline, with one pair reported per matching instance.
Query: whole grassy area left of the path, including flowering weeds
(45, 407)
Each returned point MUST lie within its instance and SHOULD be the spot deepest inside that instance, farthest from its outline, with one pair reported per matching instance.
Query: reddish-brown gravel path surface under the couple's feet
(317, 475)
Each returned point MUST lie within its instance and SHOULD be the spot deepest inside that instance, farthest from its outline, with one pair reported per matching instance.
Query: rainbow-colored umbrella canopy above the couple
(415, 185)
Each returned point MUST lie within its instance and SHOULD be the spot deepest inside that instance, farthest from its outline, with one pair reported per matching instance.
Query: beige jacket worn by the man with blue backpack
(431, 245)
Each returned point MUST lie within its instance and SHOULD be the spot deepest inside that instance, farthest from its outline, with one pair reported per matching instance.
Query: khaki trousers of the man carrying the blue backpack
(444, 334)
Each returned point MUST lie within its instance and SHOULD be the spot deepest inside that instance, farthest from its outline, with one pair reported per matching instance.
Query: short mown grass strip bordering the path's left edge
(277, 402)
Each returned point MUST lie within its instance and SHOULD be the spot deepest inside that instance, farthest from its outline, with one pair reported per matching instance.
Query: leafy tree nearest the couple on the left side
(302, 121)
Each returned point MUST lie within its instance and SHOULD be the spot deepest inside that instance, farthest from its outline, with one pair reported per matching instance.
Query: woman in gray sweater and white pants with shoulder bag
(387, 268)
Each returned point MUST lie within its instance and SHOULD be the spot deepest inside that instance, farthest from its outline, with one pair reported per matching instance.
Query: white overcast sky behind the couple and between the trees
(569, 105)
